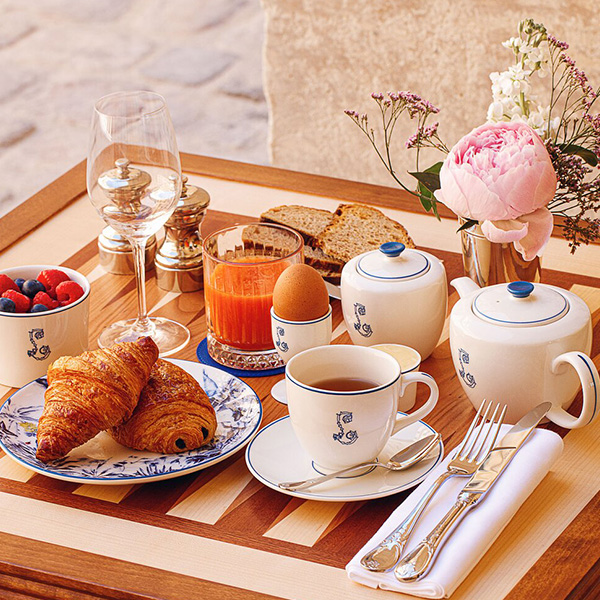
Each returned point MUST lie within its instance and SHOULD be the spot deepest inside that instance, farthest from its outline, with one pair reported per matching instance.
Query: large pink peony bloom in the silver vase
(501, 175)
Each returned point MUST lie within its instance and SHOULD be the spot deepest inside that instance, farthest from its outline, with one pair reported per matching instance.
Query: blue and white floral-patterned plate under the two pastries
(104, 461)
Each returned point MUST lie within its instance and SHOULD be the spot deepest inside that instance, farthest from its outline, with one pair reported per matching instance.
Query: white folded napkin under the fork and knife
(479, 528)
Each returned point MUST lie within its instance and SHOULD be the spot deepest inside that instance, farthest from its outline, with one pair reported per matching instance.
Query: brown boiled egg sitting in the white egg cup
(300, 294)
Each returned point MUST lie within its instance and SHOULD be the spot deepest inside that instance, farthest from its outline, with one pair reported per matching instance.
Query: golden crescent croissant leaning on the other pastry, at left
(92, 392)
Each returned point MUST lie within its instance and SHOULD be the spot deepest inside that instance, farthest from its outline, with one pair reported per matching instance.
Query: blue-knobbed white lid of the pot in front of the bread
(393, 262)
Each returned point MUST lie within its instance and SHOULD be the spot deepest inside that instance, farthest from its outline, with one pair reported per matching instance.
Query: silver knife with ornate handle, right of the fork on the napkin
(418, 561)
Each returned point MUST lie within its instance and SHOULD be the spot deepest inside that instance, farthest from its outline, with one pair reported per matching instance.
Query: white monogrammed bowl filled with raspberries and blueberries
(44, 312)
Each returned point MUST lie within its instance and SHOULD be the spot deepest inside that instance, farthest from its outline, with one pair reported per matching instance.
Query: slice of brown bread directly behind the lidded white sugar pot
(357, 228)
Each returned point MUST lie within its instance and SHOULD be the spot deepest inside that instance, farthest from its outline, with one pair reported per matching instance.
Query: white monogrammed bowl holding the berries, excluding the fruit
(31, 341)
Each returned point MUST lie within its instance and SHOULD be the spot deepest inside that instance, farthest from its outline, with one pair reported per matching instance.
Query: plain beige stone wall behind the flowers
(323, 56)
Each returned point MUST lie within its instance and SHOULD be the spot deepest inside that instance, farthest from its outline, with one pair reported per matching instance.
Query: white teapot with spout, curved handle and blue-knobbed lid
(514, 344)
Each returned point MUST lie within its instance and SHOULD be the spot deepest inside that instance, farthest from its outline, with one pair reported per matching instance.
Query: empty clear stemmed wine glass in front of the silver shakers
(134, 182)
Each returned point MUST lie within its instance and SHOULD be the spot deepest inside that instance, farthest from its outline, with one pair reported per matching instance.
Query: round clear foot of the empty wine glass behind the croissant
(169, 336)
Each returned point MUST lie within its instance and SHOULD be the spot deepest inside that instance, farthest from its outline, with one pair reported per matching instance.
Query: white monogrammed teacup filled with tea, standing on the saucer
(340, 429)
